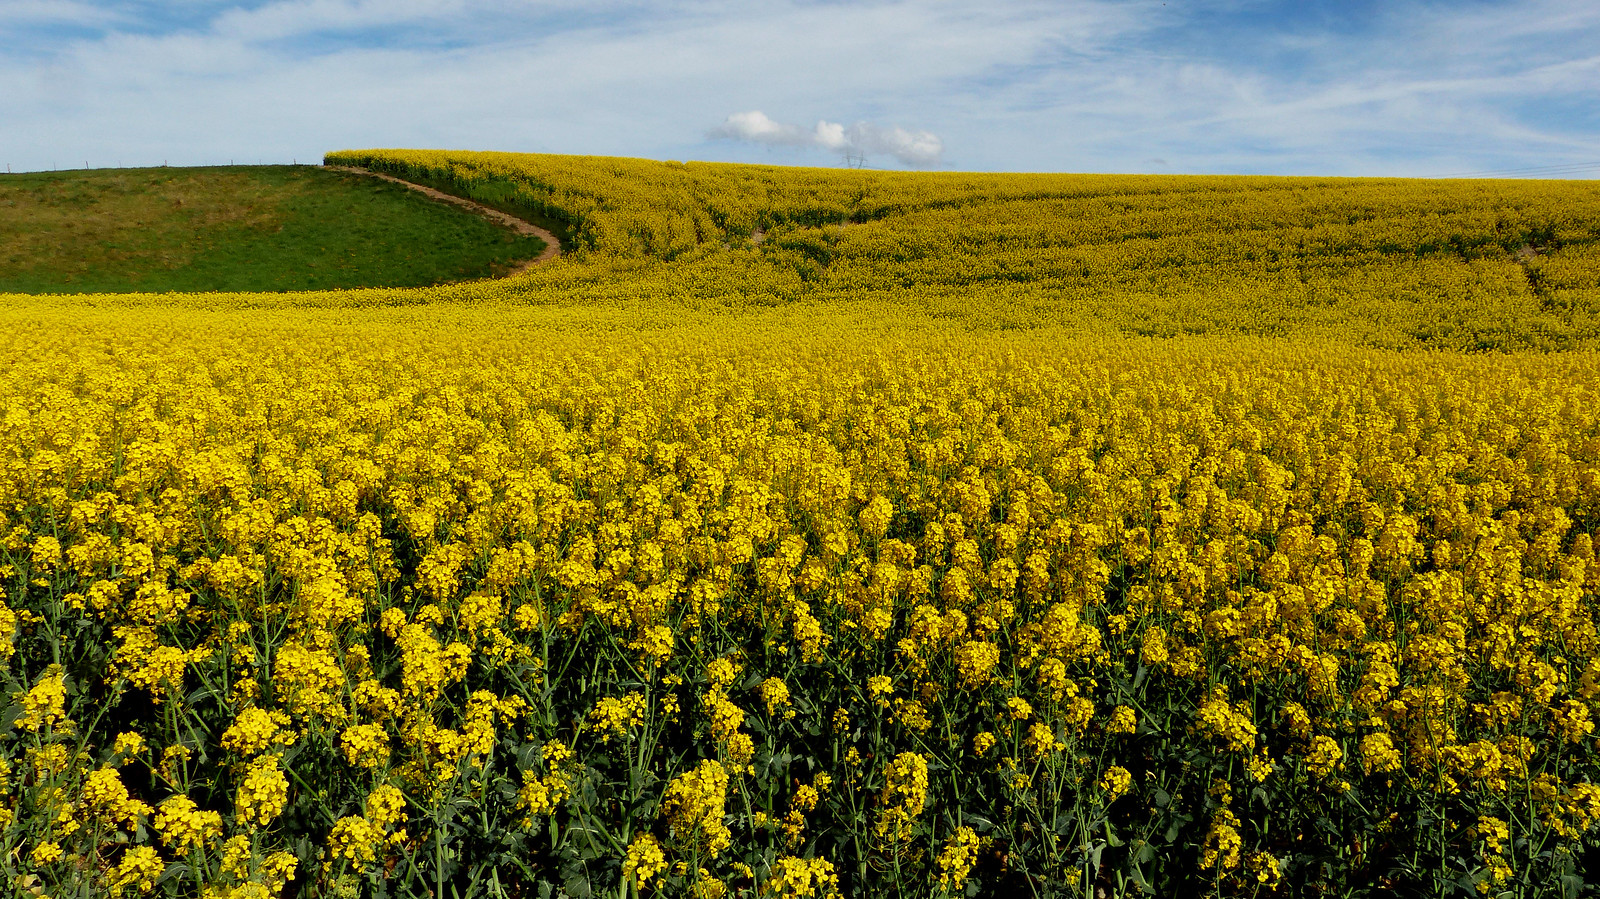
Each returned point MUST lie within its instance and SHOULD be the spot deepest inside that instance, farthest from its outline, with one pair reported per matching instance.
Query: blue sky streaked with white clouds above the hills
(1310, 87)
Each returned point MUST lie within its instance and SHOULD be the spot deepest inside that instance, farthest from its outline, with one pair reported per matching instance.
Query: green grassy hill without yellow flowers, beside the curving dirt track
(236, 228)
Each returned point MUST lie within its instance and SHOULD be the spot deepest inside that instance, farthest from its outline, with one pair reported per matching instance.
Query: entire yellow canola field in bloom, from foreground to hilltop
(828, 533)
